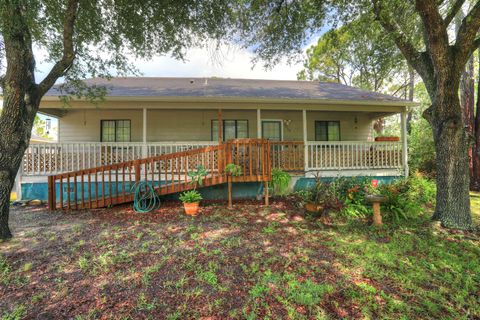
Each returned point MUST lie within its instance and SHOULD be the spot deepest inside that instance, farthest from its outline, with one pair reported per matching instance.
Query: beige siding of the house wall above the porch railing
(195, 125)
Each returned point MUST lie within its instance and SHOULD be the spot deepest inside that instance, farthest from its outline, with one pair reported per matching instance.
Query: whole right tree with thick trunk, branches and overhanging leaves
(438, 58)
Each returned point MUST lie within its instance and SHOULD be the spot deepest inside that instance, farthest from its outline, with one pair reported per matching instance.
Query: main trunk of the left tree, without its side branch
(20, 106)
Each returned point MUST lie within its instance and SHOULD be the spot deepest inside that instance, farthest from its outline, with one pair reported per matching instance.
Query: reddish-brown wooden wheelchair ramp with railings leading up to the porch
(112, 184)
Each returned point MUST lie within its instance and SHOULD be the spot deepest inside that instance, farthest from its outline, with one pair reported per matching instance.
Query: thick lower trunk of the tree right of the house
(451, 146)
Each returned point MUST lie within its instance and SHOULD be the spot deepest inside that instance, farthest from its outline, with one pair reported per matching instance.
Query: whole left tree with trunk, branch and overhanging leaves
(83, 38)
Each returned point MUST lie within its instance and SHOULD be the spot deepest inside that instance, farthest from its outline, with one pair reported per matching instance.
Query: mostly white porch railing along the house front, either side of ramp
(330, 158)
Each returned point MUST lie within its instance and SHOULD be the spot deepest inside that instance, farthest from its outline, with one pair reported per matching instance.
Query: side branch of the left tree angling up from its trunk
(68, 55)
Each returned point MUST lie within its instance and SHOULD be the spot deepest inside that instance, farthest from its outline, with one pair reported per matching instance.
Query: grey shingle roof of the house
(226, 87)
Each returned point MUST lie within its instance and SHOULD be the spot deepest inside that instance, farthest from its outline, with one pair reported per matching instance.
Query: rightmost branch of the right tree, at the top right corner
(466, 41)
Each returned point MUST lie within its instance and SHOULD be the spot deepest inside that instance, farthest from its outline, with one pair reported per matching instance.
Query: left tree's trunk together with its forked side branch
(21, 93)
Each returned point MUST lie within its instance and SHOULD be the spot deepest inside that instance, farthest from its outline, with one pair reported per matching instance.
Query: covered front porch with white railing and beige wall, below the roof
(293, 145)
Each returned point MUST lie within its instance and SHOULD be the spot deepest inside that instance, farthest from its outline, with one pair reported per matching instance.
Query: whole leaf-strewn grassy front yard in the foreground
(247, 263)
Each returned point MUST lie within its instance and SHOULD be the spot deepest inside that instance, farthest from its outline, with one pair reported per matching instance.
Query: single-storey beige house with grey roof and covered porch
(312, 127)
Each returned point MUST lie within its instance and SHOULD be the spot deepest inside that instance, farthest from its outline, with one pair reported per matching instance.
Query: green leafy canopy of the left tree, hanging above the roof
(120, 30)
